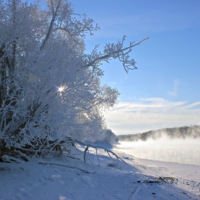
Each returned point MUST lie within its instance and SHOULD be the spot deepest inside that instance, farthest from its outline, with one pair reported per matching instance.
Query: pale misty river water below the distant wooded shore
(186, 151)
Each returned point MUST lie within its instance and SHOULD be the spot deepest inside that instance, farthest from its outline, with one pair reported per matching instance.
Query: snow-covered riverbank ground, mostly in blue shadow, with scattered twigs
(100, 178)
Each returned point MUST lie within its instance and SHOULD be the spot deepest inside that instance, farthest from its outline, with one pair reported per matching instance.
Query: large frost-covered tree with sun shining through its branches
(49, 88)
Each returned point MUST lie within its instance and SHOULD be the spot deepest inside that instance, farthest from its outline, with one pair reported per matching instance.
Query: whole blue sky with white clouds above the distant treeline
(164, 91)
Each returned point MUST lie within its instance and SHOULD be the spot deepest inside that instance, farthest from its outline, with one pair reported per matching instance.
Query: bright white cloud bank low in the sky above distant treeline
(151, 113)
